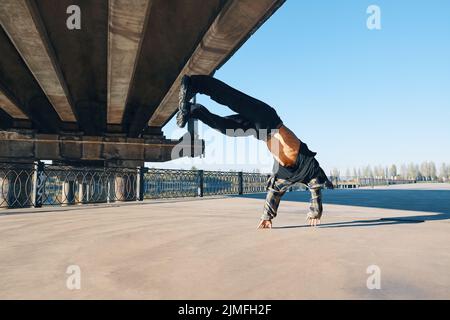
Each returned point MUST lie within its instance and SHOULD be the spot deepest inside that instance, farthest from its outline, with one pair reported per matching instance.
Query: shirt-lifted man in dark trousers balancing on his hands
(294, 162)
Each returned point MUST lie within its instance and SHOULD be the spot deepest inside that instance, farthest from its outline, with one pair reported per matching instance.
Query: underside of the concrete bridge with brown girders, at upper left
(105, 91)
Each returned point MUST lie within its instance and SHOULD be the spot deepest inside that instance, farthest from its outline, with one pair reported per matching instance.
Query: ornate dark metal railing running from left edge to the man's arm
(37, 185)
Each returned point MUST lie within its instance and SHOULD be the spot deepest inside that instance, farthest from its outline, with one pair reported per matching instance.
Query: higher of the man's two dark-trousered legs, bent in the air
(256, 111)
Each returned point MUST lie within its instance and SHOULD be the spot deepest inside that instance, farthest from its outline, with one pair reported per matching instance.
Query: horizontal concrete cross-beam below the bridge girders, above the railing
(115, 151)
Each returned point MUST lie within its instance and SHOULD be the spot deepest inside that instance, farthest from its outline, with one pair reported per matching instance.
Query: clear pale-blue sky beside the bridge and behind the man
(356, 96)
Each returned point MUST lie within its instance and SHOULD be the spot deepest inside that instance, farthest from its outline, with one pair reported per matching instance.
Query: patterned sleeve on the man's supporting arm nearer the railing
(276, 188)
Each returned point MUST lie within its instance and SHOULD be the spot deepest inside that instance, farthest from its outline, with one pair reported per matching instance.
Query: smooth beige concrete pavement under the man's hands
(210, 249)
